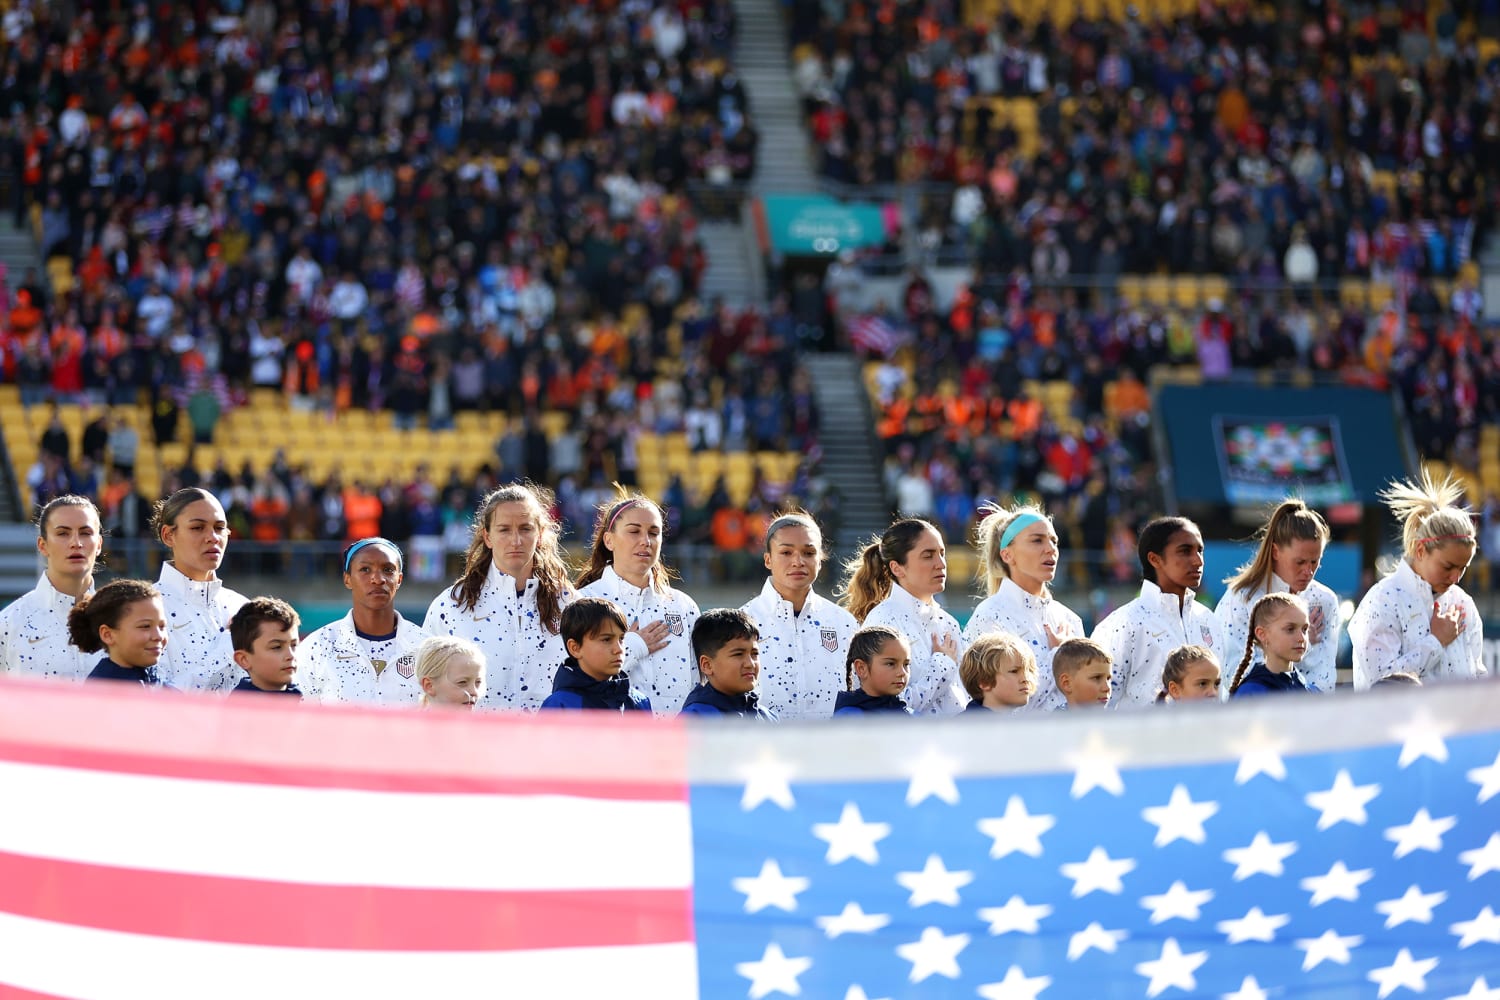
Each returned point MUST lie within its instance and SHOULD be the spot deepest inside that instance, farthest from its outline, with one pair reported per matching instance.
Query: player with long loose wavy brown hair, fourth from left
(511, 597)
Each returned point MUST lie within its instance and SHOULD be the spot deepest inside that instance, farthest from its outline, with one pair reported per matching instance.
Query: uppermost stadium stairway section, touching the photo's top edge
(785, 160)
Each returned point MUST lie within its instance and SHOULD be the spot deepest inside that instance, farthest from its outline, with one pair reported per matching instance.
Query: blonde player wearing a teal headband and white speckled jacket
(1019, 558)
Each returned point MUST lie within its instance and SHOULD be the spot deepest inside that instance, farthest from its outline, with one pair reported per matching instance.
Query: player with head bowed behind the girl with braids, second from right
(1291, 551)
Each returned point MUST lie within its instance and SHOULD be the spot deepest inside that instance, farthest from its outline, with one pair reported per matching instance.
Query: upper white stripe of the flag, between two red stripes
(344, 837)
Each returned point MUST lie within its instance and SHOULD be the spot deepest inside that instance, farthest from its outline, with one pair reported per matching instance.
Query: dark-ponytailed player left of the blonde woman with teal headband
(895, 582)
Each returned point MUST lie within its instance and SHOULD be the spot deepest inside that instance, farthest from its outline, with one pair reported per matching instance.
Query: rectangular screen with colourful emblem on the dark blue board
(1264, 460)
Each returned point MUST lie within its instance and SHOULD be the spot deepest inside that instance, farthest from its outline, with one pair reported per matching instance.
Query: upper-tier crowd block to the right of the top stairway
(1267, 142)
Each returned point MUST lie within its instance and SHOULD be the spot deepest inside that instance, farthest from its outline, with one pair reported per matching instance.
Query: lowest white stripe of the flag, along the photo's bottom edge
(89, 965)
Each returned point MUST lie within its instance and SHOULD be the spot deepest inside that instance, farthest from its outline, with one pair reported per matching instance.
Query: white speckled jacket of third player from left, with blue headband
(334, 665)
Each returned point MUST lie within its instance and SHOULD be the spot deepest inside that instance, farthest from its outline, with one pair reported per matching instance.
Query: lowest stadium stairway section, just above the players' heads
(851, 454)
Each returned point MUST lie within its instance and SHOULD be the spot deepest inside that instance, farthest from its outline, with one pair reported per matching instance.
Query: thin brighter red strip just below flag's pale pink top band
(289, 774)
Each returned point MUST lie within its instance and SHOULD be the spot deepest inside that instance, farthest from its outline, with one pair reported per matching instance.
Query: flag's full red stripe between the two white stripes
(338, 918)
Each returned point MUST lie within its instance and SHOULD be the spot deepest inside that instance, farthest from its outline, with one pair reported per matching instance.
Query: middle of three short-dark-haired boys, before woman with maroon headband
(593, 675)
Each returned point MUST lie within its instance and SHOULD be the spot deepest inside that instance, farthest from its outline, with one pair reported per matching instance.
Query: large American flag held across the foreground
(157, 846)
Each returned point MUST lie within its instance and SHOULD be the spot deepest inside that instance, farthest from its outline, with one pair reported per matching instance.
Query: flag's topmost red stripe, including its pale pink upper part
(119, 728)
